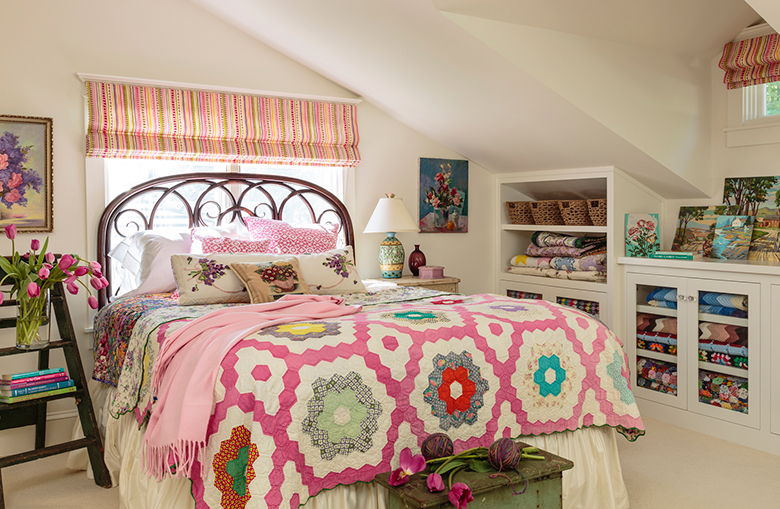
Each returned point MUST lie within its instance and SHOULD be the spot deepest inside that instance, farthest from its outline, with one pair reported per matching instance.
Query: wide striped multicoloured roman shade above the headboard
(131, 121)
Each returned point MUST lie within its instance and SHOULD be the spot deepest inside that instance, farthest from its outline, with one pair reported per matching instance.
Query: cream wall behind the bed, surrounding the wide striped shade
(48, 42)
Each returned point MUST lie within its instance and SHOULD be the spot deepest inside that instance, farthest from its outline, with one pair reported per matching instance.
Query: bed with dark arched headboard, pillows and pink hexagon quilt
(309, 411)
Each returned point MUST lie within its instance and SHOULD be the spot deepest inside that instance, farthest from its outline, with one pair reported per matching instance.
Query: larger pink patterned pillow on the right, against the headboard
(289, 239)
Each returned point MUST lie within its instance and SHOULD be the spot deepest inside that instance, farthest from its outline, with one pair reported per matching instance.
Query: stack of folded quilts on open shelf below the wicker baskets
(563, 257)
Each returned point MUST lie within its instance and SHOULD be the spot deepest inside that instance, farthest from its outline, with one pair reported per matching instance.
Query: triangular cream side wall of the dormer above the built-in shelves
(657, 101)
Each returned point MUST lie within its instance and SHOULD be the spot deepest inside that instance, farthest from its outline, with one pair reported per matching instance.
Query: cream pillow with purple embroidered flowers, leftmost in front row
(208, 279)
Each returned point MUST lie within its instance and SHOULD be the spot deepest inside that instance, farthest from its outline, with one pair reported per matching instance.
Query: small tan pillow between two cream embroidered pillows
(268, 281)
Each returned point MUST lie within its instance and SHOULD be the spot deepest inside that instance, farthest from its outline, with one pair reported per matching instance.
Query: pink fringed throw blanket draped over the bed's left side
(186, 369)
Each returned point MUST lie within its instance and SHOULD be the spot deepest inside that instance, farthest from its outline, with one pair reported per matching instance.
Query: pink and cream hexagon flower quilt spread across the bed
(303, 407)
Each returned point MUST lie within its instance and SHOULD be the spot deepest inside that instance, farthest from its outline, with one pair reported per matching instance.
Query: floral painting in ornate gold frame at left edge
(26, 173)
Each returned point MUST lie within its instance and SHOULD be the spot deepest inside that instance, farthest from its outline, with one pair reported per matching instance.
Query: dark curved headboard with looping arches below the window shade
(213, 199)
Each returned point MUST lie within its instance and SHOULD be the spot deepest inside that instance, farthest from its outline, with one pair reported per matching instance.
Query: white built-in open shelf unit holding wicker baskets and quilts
(623, 194)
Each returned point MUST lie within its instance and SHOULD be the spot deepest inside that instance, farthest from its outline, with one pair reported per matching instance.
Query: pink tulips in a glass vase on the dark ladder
(34, 274)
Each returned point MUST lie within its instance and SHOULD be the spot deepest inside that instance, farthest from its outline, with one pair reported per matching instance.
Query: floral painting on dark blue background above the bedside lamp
(443, 201)
